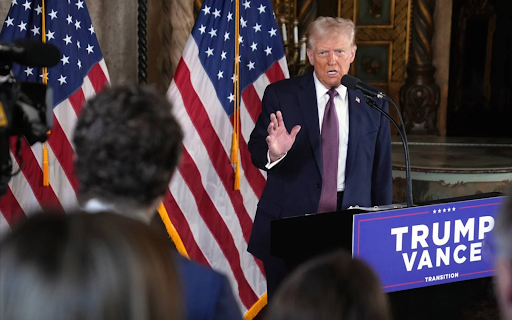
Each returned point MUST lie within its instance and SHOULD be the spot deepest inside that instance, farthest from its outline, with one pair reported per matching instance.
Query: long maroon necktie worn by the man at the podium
(330, 151)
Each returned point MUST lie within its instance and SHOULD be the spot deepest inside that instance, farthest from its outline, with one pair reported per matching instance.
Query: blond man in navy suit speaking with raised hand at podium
(333, 152)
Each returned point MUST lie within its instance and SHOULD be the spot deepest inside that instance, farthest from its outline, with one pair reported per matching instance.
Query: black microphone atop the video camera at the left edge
(30, 52)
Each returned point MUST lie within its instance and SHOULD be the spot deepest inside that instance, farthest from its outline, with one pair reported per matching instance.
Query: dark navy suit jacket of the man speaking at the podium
(293, 186)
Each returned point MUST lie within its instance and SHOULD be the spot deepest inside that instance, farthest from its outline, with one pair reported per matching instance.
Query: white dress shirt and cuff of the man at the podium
(341, 103)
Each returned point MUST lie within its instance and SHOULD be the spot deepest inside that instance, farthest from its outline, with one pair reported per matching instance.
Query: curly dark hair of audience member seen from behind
(127, 145)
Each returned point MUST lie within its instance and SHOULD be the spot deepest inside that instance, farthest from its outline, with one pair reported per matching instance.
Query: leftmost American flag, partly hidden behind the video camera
(80, 73)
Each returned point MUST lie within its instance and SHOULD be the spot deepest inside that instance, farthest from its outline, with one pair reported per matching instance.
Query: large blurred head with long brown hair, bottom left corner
(88, 267)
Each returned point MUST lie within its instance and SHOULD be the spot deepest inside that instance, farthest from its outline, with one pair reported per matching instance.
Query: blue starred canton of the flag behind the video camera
(69, 27)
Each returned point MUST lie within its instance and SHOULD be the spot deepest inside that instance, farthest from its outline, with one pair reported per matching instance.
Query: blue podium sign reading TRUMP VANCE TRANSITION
(428, 245)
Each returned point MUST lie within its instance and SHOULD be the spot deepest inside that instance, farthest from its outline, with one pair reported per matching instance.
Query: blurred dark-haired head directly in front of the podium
(334, 287)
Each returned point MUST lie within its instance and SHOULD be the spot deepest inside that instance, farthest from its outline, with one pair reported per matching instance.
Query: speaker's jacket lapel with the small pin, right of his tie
(356, 120)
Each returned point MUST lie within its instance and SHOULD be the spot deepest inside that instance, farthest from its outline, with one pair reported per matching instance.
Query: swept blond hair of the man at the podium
(324, 27)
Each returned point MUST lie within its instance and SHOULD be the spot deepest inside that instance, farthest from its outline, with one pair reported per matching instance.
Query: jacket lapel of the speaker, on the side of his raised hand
(309, 109)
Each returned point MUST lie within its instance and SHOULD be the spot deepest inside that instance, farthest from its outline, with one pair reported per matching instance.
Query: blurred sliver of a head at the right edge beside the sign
(503, 261)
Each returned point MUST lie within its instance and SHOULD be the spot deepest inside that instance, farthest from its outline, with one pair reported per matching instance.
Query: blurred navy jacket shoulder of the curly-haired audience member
(207, 293)
